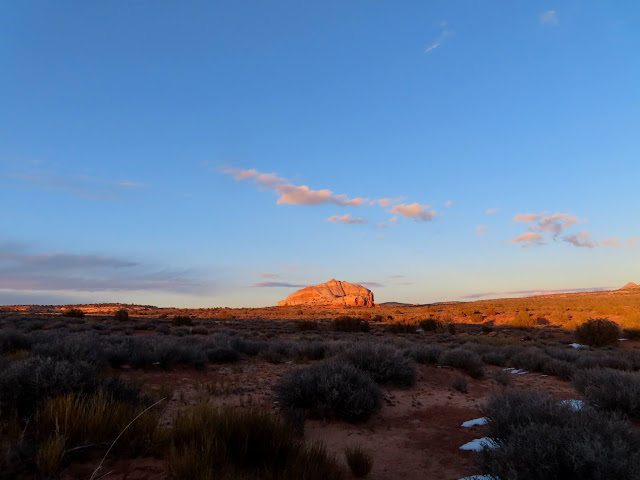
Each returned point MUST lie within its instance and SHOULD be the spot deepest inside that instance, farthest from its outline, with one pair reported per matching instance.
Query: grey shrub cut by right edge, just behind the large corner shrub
(609, 389)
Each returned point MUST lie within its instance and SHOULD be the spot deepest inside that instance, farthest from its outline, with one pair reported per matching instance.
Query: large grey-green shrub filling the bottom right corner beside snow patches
(539, 438)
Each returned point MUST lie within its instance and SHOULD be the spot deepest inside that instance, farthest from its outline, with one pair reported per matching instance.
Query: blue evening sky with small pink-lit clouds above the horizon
(207, 154)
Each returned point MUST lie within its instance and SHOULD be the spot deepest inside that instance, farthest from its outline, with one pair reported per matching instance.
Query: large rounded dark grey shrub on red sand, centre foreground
(330, 389)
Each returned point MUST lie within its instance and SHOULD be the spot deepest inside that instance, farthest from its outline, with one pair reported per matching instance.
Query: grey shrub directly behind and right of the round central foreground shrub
(386, 365)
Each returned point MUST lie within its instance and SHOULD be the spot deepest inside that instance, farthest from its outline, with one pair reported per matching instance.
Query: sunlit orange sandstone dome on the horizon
(333, 293)
